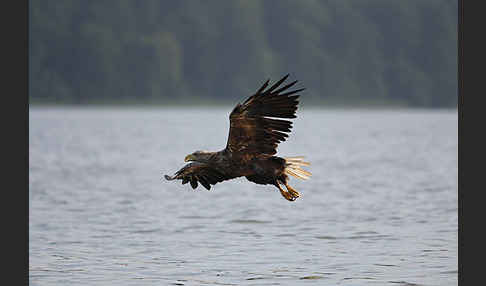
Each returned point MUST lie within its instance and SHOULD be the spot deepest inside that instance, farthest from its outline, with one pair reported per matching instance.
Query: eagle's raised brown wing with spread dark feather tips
(252, 132)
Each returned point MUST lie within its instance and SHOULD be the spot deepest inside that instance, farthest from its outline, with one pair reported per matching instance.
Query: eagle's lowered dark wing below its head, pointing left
(198, 172)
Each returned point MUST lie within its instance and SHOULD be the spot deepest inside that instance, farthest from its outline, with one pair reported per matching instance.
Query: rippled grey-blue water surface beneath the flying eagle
(380, 209)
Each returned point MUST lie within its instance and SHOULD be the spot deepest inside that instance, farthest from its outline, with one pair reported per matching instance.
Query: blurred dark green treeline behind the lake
(151, 51)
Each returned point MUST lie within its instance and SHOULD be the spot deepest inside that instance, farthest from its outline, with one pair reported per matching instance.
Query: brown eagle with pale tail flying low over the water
(256, 129)
